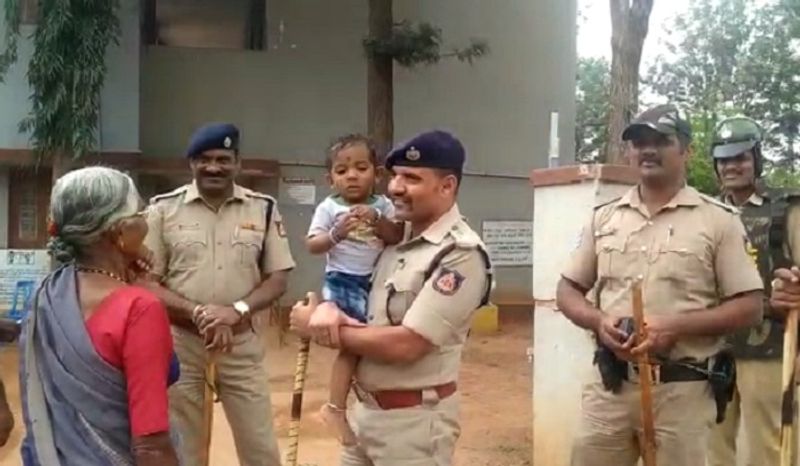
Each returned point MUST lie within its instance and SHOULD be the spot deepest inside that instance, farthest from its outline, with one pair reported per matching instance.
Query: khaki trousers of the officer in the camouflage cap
(607, 434)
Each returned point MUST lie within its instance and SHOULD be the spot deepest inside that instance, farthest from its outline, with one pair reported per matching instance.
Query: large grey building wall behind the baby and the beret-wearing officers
(310, 86)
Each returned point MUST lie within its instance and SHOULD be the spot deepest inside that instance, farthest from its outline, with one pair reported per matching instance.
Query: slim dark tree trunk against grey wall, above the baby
(380, 85)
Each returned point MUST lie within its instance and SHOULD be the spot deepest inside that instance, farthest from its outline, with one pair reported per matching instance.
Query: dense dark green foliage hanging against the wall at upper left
(67, 72)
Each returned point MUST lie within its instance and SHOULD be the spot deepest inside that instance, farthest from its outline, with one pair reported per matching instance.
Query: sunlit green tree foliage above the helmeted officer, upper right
(736, 56)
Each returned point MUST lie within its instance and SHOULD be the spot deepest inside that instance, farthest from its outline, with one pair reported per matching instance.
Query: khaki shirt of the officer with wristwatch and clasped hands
(215, 257)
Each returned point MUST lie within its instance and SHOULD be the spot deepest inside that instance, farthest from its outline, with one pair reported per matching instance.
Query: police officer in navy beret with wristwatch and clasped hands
(220, 255)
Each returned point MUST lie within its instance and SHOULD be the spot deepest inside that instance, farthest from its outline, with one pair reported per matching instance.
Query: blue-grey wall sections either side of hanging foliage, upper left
(119, 129)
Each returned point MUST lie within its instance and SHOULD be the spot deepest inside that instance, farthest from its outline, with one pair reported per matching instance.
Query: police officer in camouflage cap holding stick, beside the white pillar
(690, 253)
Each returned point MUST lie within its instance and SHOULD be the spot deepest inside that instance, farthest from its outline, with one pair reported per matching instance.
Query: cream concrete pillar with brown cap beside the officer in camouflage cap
(562, 353)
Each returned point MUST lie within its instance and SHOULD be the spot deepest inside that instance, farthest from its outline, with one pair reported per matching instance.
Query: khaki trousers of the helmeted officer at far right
(756, 407)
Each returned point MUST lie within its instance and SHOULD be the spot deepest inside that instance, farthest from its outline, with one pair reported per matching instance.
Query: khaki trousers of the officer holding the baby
(420, 436)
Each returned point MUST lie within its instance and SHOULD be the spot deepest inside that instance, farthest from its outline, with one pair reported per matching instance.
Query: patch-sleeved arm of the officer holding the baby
(441, 313)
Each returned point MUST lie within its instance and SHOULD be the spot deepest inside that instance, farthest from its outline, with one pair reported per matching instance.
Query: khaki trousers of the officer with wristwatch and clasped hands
(243, 390)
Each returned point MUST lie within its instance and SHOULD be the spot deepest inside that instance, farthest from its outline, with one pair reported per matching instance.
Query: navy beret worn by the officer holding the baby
(432, 149)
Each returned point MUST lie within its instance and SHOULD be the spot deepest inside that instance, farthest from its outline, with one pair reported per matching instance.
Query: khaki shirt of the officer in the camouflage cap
(690, 255)
